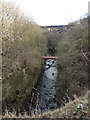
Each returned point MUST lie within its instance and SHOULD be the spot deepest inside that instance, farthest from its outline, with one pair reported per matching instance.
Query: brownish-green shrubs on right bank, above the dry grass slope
(73, 62)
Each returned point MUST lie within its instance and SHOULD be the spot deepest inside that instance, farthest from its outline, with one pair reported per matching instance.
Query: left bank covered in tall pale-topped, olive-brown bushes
(23, 44)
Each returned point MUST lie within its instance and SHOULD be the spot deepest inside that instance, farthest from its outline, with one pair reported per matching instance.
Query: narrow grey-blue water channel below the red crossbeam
(46, 87)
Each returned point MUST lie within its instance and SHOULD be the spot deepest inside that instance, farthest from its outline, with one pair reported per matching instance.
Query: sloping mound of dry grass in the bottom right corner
(70, 109)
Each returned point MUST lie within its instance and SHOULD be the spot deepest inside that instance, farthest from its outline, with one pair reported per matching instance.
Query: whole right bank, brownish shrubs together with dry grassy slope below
(72, 82)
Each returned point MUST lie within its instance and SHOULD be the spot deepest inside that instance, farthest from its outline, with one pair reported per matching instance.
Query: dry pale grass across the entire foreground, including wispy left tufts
(70, 110)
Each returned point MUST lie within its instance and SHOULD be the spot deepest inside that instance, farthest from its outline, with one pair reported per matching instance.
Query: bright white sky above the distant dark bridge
(53, 12)
